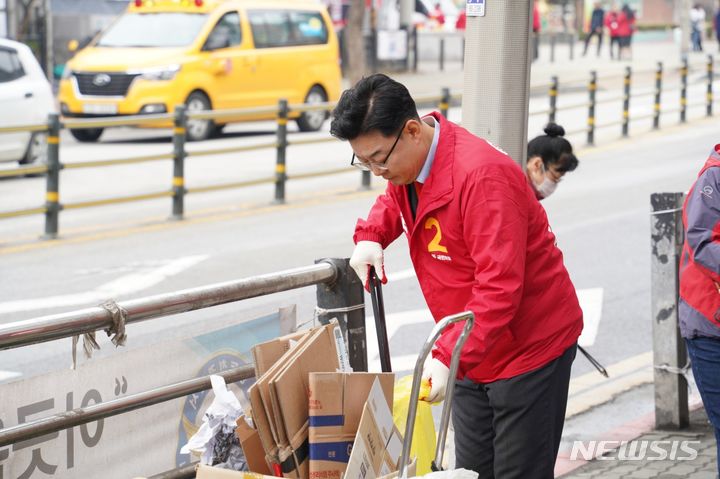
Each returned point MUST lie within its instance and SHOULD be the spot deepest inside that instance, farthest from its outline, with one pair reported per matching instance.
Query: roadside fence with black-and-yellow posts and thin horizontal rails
(52, 207)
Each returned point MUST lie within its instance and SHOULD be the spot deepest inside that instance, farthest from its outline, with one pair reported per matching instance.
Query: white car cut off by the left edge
(25, 99)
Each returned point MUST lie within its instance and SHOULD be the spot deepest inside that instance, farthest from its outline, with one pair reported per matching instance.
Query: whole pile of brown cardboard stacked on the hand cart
(314, 418)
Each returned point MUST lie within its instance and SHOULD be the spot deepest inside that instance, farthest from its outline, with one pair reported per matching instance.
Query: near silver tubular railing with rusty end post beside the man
(338, 290)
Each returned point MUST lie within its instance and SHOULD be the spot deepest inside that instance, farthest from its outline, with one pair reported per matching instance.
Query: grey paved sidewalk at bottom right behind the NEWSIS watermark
(699, 437)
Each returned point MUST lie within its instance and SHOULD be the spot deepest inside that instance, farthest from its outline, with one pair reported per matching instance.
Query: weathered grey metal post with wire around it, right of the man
(671, 390)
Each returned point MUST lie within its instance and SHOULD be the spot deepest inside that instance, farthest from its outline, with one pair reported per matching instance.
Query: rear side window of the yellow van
(274, 28)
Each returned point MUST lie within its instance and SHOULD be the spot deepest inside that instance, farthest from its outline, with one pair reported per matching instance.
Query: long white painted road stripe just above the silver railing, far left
(124, 285)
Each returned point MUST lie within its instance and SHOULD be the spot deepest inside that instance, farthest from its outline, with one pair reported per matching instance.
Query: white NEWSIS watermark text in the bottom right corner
(639, 450)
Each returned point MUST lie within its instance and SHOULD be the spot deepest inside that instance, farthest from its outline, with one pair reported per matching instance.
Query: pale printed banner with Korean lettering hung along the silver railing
(138, 443)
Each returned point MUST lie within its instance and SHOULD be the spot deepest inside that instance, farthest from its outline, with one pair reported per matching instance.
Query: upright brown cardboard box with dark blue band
(335, 405)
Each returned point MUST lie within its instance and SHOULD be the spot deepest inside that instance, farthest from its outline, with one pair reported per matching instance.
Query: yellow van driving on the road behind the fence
(206, 54)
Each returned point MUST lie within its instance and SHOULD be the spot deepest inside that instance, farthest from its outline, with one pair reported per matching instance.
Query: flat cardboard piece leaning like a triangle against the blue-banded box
(378, 443)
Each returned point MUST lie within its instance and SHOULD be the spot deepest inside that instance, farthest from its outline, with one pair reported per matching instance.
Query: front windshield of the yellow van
(168, 29)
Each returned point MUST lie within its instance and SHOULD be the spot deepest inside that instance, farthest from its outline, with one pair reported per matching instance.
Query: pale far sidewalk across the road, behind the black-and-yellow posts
(429, 79)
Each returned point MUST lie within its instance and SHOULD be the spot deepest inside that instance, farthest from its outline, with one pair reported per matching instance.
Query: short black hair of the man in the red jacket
(376, 102)
